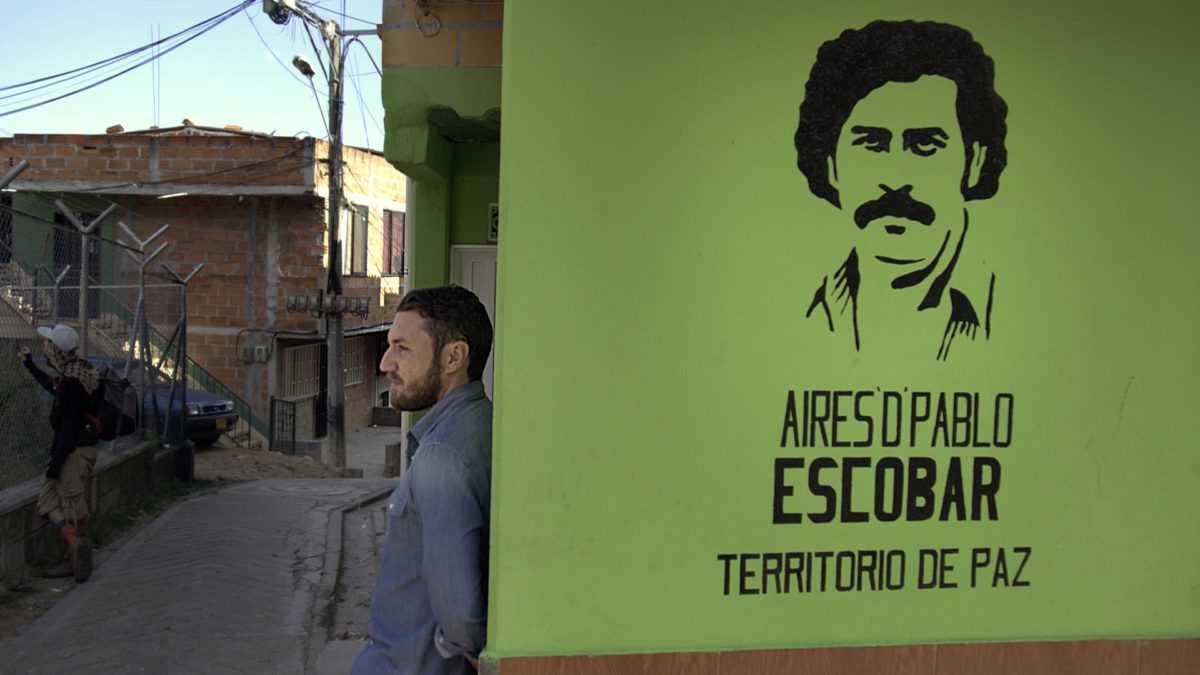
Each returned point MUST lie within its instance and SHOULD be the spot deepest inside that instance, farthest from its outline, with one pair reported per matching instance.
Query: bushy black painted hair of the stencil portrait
(862, 61)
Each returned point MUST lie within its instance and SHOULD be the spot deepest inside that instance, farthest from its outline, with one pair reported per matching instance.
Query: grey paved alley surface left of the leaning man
(233, 582)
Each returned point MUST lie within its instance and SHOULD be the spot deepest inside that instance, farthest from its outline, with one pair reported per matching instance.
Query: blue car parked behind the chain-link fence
(207, 419)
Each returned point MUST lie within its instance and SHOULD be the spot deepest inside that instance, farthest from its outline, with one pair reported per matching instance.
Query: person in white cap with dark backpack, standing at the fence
(64, 497)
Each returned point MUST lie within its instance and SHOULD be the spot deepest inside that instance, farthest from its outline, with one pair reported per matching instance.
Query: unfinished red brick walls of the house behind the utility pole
(257, 248)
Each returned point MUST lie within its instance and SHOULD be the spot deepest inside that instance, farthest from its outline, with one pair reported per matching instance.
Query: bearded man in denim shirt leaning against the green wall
(429, 612)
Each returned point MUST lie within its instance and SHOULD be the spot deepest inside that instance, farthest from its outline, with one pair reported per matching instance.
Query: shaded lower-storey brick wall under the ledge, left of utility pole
(257, 250)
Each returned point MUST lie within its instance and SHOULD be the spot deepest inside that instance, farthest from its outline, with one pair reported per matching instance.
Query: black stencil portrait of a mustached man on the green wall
(899, 132)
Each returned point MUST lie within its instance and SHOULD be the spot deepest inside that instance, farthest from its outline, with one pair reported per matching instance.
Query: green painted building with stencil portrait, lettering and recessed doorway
(819, 332)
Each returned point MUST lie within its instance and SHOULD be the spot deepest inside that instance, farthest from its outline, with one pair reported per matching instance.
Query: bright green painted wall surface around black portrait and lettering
(661, 254)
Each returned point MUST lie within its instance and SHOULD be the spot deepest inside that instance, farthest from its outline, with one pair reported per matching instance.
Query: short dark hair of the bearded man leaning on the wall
(451, 314)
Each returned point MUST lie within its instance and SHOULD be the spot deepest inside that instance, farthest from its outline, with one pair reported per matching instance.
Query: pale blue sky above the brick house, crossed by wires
(226, 76)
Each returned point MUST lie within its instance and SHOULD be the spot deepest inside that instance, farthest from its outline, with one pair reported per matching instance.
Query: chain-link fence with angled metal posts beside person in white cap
(51, 273)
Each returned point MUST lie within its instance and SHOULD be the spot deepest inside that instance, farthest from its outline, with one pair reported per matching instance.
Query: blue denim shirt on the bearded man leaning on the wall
(430, 604)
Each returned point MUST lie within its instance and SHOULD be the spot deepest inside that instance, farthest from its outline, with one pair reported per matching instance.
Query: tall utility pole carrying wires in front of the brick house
(332, 304)
